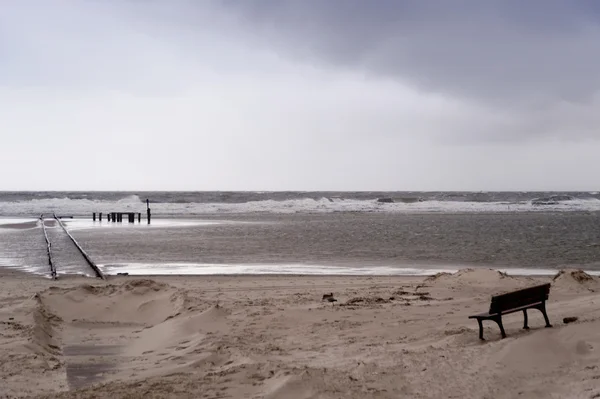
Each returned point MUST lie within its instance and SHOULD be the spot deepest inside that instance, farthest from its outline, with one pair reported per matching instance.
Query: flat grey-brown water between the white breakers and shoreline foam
(538, 240)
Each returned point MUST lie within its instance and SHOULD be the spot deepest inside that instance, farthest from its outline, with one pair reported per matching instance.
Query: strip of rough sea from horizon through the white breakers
(207, 203)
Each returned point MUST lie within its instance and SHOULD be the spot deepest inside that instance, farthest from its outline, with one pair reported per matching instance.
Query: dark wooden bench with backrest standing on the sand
(517, 301)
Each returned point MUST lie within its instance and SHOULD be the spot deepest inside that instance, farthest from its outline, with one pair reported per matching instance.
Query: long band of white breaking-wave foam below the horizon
(81, 207)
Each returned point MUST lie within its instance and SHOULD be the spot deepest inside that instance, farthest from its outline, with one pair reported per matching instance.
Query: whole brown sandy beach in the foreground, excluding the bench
(274, 337)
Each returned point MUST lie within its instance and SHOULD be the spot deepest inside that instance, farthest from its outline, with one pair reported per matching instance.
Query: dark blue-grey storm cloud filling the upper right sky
(511, 53)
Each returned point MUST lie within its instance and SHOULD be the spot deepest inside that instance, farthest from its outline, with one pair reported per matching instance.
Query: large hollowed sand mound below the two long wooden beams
(136, 329)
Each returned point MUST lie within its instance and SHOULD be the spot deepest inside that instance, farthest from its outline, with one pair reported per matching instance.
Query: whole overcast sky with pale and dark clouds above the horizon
(299, 95)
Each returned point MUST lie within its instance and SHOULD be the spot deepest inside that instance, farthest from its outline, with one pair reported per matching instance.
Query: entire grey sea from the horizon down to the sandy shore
(299, 232)
